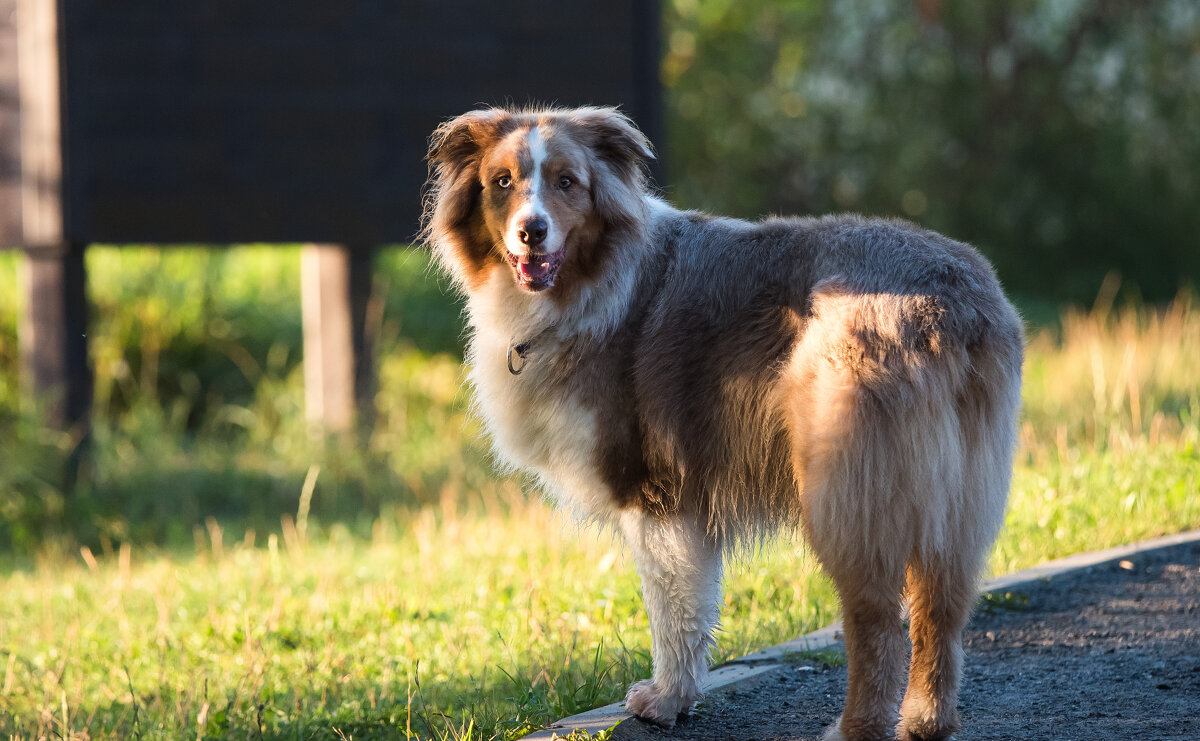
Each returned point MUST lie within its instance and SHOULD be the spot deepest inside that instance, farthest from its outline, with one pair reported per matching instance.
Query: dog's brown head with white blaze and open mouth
(538, 194)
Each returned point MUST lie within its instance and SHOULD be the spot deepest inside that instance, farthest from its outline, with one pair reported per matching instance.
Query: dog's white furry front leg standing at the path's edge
(681, 570)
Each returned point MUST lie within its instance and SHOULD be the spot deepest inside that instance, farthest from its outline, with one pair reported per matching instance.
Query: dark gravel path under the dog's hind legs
(1102, 654)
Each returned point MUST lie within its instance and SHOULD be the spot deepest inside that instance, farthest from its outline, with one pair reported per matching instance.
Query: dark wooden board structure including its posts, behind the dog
(169, 122)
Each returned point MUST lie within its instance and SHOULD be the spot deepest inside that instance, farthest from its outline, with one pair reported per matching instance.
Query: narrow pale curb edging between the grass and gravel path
(769, 660)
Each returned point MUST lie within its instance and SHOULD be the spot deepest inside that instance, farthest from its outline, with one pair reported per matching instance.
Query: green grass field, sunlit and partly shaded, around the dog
(223, 575)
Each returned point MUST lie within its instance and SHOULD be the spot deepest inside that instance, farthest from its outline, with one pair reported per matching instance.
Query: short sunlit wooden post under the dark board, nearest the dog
(338, 348)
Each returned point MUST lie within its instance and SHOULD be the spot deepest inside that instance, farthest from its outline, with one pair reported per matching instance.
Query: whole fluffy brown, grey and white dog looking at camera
(698, 383)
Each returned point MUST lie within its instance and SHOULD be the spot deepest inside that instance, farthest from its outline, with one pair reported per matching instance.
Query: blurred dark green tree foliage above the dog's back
(1063, 137)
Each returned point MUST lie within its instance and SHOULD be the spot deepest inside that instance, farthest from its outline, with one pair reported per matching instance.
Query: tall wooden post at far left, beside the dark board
(53, 332)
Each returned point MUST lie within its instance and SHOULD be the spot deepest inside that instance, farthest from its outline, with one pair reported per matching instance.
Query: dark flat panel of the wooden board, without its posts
(302, 121)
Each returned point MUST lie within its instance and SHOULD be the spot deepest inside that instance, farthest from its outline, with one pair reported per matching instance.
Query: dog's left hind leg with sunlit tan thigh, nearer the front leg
(861, 525)
